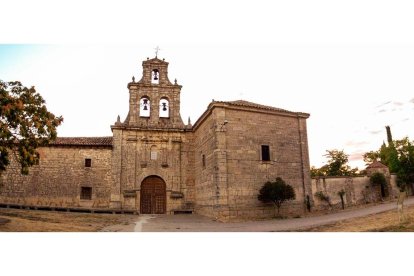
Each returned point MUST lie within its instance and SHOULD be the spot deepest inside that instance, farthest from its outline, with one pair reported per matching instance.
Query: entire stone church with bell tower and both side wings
(156, 164)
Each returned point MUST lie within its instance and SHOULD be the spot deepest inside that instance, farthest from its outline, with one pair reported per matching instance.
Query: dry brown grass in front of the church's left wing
(47, 221)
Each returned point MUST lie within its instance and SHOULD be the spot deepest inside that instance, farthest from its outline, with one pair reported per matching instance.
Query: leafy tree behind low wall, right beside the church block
(337, 165)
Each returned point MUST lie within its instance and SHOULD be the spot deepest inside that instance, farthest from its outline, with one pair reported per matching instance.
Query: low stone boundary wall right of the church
(358, 190)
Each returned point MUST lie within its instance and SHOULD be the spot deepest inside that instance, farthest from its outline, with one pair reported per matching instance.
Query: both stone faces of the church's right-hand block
(228, 183)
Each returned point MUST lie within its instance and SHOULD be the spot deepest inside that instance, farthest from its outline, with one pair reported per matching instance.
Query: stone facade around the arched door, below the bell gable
(132, 149)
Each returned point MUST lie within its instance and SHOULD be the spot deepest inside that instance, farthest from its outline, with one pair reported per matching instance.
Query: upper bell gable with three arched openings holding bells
(154, 102)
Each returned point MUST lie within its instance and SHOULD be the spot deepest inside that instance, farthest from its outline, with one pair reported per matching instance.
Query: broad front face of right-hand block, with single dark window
(245, 133)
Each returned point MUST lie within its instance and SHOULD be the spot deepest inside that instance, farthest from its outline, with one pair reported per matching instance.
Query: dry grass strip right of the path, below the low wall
(383, 222)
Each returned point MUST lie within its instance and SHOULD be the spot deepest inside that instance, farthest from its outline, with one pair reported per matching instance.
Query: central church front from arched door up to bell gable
(151, 148)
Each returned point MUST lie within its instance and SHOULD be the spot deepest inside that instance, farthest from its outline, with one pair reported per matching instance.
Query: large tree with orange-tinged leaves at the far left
(25, 124)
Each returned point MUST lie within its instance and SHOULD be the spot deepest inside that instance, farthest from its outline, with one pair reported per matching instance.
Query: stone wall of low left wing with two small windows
(58, 179)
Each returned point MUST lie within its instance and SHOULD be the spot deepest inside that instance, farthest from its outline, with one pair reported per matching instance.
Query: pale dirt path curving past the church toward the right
(196, 223)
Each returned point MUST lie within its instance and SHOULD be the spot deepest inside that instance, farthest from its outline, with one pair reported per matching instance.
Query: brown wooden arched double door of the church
(153, 196)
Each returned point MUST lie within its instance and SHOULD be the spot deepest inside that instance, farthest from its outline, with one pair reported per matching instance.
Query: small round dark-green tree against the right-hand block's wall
(276, 192)
